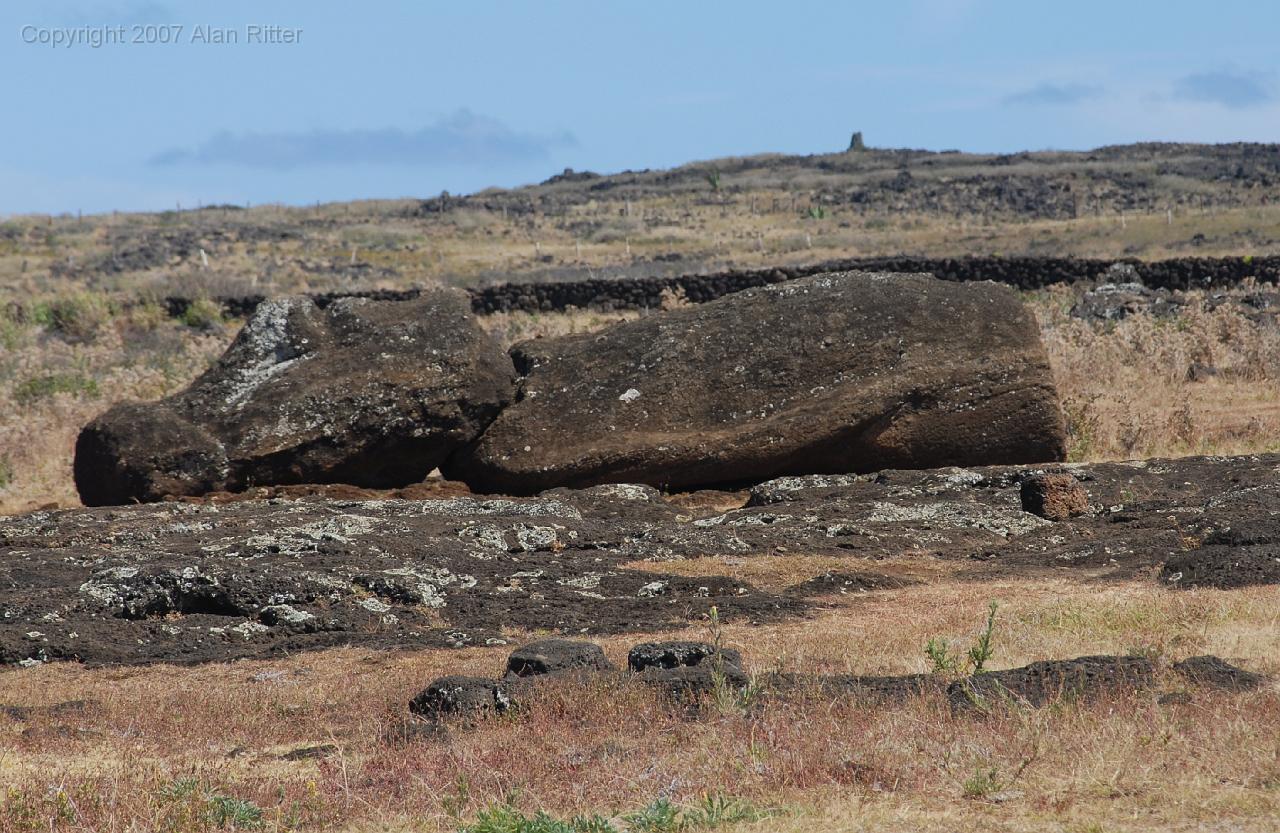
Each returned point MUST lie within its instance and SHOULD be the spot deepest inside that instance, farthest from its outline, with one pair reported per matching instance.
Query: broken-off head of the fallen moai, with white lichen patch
(363, 392)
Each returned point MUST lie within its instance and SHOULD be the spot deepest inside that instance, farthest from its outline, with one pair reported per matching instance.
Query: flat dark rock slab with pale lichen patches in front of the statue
(217, 580)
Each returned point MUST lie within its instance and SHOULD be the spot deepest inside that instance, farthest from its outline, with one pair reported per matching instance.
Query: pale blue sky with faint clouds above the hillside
(410, 99)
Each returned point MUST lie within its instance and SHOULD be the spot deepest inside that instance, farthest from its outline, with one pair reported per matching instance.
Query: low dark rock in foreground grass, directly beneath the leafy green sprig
(1041, 684)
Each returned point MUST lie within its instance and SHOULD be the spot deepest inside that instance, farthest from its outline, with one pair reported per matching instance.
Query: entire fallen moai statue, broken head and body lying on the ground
(836, 373)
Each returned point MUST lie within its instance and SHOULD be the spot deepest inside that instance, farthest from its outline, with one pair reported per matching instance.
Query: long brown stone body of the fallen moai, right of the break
(835, 373)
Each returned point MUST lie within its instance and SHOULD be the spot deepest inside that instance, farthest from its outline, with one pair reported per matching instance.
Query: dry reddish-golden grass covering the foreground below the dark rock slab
(1122, 765)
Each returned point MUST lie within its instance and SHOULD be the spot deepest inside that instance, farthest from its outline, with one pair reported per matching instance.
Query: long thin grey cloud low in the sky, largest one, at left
(463, 139)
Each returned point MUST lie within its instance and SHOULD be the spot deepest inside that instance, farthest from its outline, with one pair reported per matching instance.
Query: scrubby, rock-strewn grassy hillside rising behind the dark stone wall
(1142, 200)
